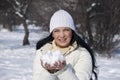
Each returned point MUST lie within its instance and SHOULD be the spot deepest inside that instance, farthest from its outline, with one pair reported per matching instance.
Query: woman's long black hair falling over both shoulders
(79, 41)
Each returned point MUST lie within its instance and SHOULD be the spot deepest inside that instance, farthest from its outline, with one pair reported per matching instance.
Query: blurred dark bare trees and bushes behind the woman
(97, 21)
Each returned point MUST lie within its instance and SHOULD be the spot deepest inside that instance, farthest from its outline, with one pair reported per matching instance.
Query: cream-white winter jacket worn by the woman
(79, 66)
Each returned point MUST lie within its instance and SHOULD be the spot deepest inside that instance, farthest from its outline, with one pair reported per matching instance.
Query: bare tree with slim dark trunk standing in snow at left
(20, 8)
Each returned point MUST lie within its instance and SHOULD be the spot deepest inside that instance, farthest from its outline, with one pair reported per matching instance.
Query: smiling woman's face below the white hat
(62, 36)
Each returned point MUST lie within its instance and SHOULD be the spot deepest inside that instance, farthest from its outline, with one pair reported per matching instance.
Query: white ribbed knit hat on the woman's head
(61, 18)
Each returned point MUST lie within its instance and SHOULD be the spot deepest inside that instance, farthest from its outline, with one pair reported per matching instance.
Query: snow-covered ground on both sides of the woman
(16, 60)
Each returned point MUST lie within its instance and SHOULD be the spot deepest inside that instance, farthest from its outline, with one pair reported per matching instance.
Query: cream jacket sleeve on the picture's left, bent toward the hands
(38, 71)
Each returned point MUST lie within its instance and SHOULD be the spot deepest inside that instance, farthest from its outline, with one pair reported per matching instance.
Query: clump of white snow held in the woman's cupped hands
(51, 58)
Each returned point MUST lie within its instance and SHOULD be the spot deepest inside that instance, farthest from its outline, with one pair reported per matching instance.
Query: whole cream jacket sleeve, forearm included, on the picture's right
(81, 70)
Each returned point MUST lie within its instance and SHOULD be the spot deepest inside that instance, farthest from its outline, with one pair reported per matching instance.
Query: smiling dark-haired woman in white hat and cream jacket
(79, 63)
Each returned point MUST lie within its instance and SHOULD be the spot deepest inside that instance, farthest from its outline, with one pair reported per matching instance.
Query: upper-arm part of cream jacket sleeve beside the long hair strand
(83, 67)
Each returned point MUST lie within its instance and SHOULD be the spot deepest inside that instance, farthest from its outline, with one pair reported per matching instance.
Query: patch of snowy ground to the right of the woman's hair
(109, 69)
